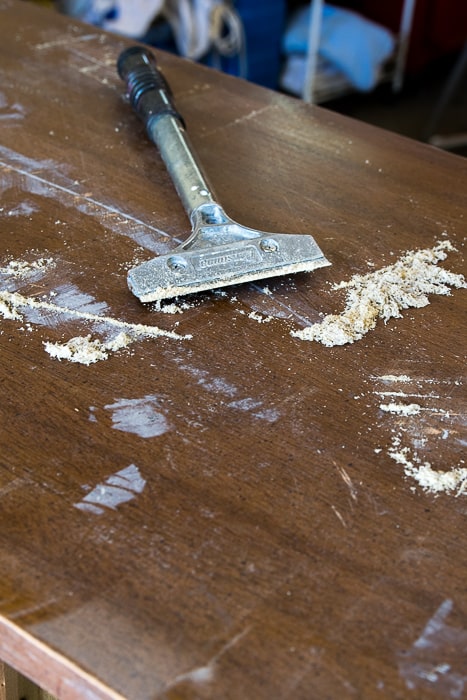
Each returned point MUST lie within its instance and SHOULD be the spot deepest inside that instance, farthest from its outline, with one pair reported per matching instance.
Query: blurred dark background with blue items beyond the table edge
(399, 64)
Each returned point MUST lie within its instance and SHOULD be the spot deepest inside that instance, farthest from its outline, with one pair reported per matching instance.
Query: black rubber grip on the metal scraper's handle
(148, 91)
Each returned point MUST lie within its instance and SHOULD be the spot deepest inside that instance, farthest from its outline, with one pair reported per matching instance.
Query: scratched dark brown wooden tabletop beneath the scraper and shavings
(220, 516)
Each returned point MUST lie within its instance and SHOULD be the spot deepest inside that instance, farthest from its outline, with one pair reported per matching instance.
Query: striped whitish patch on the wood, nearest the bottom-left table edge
(117, 489)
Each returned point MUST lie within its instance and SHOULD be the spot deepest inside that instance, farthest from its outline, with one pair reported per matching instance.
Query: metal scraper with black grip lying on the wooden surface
(219, 251)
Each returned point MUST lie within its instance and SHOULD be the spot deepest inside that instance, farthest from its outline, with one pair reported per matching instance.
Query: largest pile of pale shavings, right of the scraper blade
(384, 294)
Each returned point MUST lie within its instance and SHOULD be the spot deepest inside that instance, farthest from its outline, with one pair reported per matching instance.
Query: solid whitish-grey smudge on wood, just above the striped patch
(142, 417)
